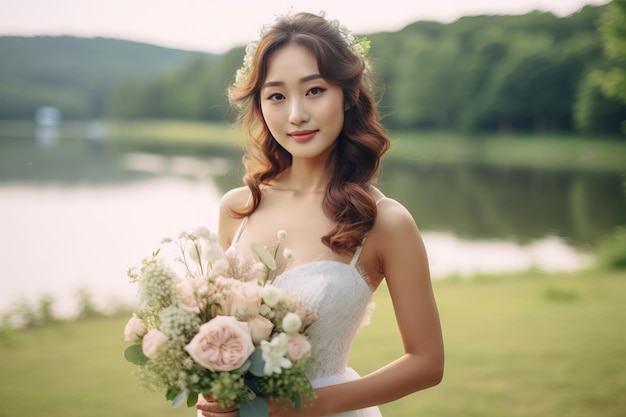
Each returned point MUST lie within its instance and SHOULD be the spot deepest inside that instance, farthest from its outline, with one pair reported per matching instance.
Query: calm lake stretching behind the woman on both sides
(75, 214)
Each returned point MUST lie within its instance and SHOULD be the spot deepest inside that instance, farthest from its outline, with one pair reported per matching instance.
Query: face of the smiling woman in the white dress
(303, 112)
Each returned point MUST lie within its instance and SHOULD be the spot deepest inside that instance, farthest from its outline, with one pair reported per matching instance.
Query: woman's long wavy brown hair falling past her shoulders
(355, 158)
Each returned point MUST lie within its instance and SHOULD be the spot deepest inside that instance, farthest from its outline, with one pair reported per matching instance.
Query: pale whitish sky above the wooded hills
(218, 25)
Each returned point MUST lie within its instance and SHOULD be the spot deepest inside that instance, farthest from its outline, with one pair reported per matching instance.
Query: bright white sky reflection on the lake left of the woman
(57, 240)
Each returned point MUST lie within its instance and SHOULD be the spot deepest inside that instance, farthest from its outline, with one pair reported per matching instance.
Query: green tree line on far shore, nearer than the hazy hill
(530, 73)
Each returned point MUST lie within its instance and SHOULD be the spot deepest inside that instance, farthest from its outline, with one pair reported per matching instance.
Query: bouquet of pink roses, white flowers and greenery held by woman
(211, 322)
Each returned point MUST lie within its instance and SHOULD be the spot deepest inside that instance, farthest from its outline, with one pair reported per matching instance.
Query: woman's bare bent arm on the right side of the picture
(403, 261)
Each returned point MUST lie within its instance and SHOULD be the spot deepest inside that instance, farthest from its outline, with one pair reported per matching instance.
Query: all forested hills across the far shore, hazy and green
(529, 73)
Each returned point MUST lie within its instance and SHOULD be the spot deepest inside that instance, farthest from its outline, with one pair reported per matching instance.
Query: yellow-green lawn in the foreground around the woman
(516, 346)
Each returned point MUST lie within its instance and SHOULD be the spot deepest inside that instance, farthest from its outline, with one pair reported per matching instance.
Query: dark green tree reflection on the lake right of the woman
(513, 204)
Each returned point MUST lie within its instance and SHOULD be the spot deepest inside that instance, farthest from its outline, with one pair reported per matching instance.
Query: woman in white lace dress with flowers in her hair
(315, 147)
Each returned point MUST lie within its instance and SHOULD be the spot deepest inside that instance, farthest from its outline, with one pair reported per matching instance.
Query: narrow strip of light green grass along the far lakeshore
(529, 151)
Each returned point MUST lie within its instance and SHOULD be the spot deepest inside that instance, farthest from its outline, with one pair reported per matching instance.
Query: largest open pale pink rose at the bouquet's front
(222, 344)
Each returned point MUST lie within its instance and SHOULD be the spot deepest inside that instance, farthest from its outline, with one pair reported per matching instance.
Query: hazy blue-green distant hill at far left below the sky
(72, 73)
